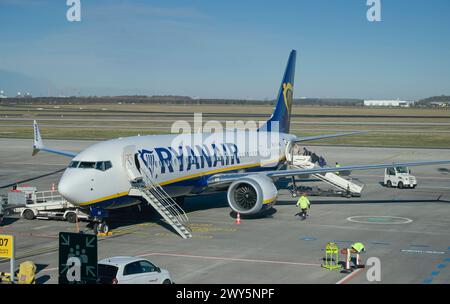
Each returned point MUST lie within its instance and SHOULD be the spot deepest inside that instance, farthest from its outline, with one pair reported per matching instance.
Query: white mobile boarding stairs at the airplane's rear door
(350, 187)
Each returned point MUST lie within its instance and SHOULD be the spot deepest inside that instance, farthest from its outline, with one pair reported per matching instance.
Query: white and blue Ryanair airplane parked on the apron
(102, 176)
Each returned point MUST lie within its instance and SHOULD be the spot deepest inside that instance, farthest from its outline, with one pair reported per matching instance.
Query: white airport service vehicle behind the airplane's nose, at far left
(47, 205)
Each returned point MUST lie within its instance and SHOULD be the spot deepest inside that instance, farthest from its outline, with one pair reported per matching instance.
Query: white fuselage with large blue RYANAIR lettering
(180, 163)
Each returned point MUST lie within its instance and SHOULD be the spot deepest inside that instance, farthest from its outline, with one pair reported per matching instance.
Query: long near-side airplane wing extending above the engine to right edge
(224, 179)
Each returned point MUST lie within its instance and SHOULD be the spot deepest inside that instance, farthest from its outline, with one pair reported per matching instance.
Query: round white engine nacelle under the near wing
(252, 194)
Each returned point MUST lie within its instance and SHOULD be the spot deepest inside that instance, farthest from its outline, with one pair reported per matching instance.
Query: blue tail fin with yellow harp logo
(282, 113)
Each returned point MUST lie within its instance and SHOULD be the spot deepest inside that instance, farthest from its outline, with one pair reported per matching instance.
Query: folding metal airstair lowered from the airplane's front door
(158, 198)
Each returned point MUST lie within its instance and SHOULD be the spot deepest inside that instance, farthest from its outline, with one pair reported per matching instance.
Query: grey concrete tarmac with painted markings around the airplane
(408, 230)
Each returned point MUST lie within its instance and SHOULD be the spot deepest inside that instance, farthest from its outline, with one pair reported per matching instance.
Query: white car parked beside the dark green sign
(131, 270)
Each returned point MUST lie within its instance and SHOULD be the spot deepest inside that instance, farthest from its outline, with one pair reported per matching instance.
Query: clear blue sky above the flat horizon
(226, 49)
